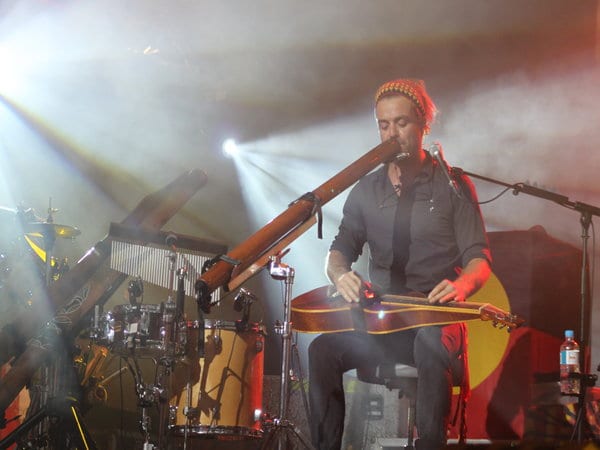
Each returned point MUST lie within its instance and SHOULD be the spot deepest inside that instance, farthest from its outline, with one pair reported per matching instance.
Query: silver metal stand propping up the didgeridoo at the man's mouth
(281, 433)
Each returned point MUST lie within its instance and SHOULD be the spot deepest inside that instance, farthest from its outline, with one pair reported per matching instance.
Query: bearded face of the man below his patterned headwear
(396, 117)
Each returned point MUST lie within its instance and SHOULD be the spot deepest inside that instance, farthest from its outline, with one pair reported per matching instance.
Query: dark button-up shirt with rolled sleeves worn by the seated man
(446, 231)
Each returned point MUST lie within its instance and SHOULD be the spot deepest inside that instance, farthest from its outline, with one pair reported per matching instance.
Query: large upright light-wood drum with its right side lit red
(219, 396)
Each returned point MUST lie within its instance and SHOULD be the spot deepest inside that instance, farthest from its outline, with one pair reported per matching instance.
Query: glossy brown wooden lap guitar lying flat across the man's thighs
(320, 311)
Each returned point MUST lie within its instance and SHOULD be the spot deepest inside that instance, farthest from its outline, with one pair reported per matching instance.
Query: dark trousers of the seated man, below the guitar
(433, 350)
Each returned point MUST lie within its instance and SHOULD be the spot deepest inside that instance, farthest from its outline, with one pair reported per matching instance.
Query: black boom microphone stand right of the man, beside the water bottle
(586, 212)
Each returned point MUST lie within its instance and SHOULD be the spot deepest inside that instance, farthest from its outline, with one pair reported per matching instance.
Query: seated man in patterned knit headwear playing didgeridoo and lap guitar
(421, 236)
